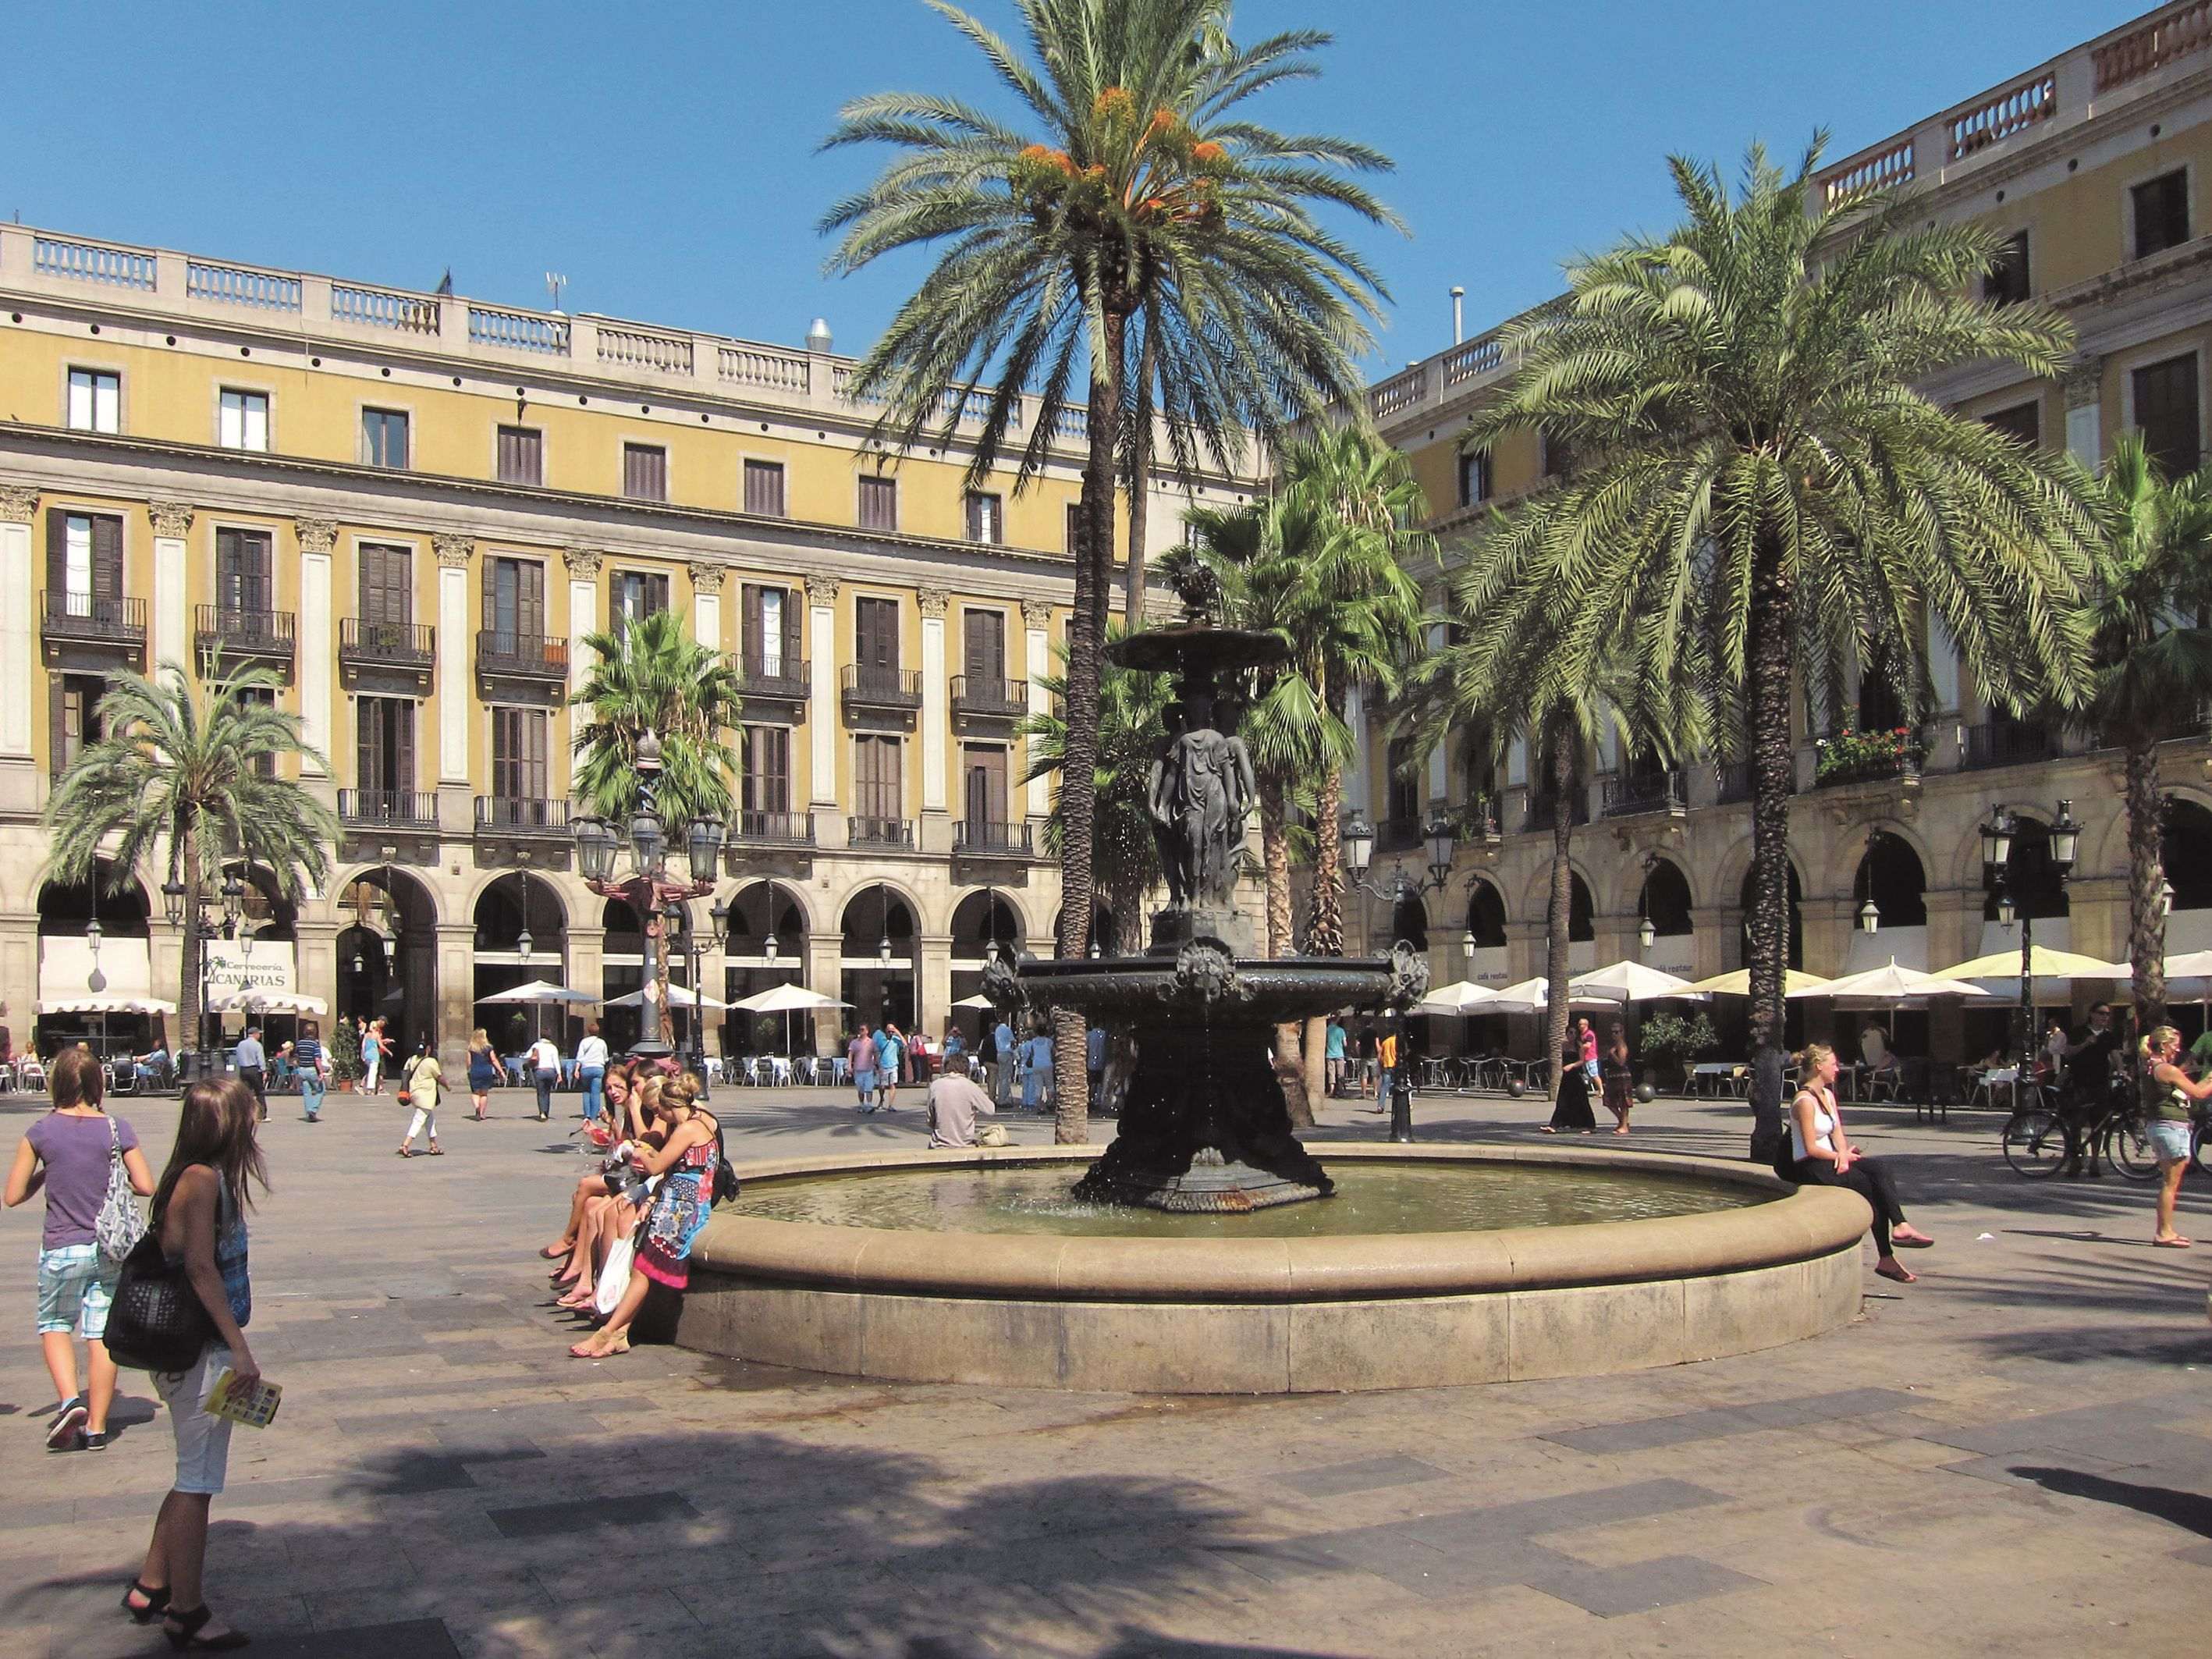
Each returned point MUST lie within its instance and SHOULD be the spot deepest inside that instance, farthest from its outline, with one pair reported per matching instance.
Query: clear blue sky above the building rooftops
(665, 156)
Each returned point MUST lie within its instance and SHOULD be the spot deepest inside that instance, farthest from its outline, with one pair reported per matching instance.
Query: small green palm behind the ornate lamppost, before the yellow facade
(651, 678)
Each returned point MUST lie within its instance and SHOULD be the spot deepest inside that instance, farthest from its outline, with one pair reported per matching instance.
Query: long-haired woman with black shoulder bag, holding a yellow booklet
(200, 1218)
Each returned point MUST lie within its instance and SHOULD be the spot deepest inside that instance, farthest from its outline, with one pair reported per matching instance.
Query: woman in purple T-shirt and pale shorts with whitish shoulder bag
(70, 1151)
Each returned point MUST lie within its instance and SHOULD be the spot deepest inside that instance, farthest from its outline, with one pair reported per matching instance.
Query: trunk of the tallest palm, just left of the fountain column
(1078, 773)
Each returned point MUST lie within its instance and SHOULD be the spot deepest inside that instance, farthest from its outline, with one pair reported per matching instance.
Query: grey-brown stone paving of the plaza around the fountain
(2012, 1457)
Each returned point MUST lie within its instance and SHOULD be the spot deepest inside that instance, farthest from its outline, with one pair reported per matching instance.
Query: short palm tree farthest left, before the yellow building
(191, 780)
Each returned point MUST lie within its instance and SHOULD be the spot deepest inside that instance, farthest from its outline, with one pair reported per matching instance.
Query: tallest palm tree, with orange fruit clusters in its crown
(1138, 187)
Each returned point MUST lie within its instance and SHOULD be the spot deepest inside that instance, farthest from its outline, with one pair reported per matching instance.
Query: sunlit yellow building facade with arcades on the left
(415, 508)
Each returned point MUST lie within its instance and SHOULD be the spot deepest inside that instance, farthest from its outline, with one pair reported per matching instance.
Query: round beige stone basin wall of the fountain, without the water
(1277, 1315)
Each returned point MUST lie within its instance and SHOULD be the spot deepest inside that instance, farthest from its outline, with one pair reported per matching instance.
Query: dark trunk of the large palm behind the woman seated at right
(1773, 778)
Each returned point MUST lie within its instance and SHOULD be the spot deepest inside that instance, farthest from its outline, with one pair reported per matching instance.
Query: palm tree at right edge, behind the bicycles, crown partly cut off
(2151, 662)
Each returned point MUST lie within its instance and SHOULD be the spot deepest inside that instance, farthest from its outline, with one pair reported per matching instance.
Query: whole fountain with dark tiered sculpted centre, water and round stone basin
(1204, 1251)
